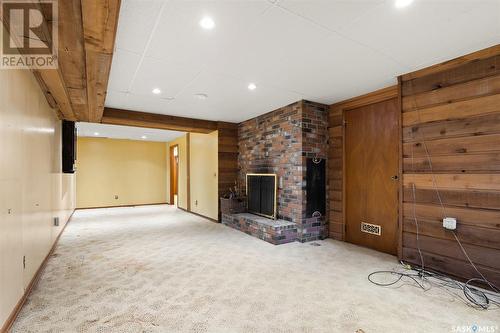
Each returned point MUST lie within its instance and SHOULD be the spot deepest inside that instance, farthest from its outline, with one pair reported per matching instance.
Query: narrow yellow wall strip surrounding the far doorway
(182, 195)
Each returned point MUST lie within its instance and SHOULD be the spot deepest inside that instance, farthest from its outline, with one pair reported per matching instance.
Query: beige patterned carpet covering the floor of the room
(158, 269)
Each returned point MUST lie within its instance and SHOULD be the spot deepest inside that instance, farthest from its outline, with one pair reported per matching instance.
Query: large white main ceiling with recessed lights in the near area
(321, 50)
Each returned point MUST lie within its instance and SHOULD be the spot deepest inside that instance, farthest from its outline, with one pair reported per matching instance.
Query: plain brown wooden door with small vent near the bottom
(372, 174)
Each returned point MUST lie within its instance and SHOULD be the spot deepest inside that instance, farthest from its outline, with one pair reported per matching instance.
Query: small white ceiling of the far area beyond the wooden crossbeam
(125, 132)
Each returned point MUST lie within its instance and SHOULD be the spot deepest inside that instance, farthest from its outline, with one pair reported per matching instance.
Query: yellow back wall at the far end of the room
(135, 171)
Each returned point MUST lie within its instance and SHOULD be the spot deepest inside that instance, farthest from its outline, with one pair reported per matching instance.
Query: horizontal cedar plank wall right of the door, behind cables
(452, 112)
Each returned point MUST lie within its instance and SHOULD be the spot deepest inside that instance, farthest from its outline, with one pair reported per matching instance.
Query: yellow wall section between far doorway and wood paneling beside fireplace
(203, 150)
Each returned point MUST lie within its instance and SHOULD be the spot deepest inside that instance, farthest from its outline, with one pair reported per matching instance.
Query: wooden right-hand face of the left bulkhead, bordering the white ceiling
(100, 19)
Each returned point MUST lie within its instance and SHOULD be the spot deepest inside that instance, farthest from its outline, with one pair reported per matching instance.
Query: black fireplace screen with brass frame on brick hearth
(261, 194)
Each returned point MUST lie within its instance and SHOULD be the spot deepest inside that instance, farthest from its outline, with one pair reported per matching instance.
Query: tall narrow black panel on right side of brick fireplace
(316, 187)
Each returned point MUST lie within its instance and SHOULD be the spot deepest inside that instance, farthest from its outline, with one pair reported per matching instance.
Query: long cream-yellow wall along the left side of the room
(32, 187)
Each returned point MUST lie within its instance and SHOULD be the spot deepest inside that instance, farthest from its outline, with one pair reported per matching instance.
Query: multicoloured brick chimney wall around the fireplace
(280, 142)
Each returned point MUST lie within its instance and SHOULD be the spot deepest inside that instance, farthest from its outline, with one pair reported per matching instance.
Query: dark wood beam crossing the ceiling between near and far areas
(159, 121)
